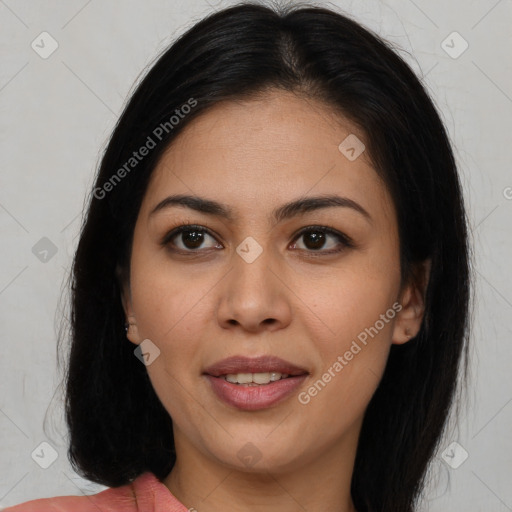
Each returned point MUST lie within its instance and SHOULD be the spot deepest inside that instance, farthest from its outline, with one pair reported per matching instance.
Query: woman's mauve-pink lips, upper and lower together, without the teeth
(253, 398)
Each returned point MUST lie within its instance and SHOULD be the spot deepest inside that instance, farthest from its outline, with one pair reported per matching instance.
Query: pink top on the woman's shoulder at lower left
(145, 494)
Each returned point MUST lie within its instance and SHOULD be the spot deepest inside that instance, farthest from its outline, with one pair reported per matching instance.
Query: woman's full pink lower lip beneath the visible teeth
(253, 398)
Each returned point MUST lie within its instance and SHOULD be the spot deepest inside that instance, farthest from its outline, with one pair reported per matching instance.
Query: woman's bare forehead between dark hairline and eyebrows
(256, 154)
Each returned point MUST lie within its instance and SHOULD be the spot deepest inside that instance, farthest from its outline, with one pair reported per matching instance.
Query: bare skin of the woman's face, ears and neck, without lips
(294, 301)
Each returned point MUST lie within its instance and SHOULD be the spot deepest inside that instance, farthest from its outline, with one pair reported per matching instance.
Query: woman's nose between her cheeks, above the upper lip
(255, 296)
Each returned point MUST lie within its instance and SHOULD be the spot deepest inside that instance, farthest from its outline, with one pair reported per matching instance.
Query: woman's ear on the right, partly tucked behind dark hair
(412, 299)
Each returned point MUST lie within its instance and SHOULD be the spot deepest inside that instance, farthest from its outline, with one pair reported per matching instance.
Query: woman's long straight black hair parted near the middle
(118, 427)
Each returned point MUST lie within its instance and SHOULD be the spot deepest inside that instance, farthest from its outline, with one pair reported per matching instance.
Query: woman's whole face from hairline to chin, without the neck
(312, 292)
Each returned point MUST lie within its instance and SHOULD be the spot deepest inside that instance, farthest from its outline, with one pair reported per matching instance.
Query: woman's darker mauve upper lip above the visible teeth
(261, 364)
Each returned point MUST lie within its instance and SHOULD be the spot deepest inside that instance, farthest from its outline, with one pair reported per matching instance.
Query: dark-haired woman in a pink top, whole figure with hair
(270, 290)
